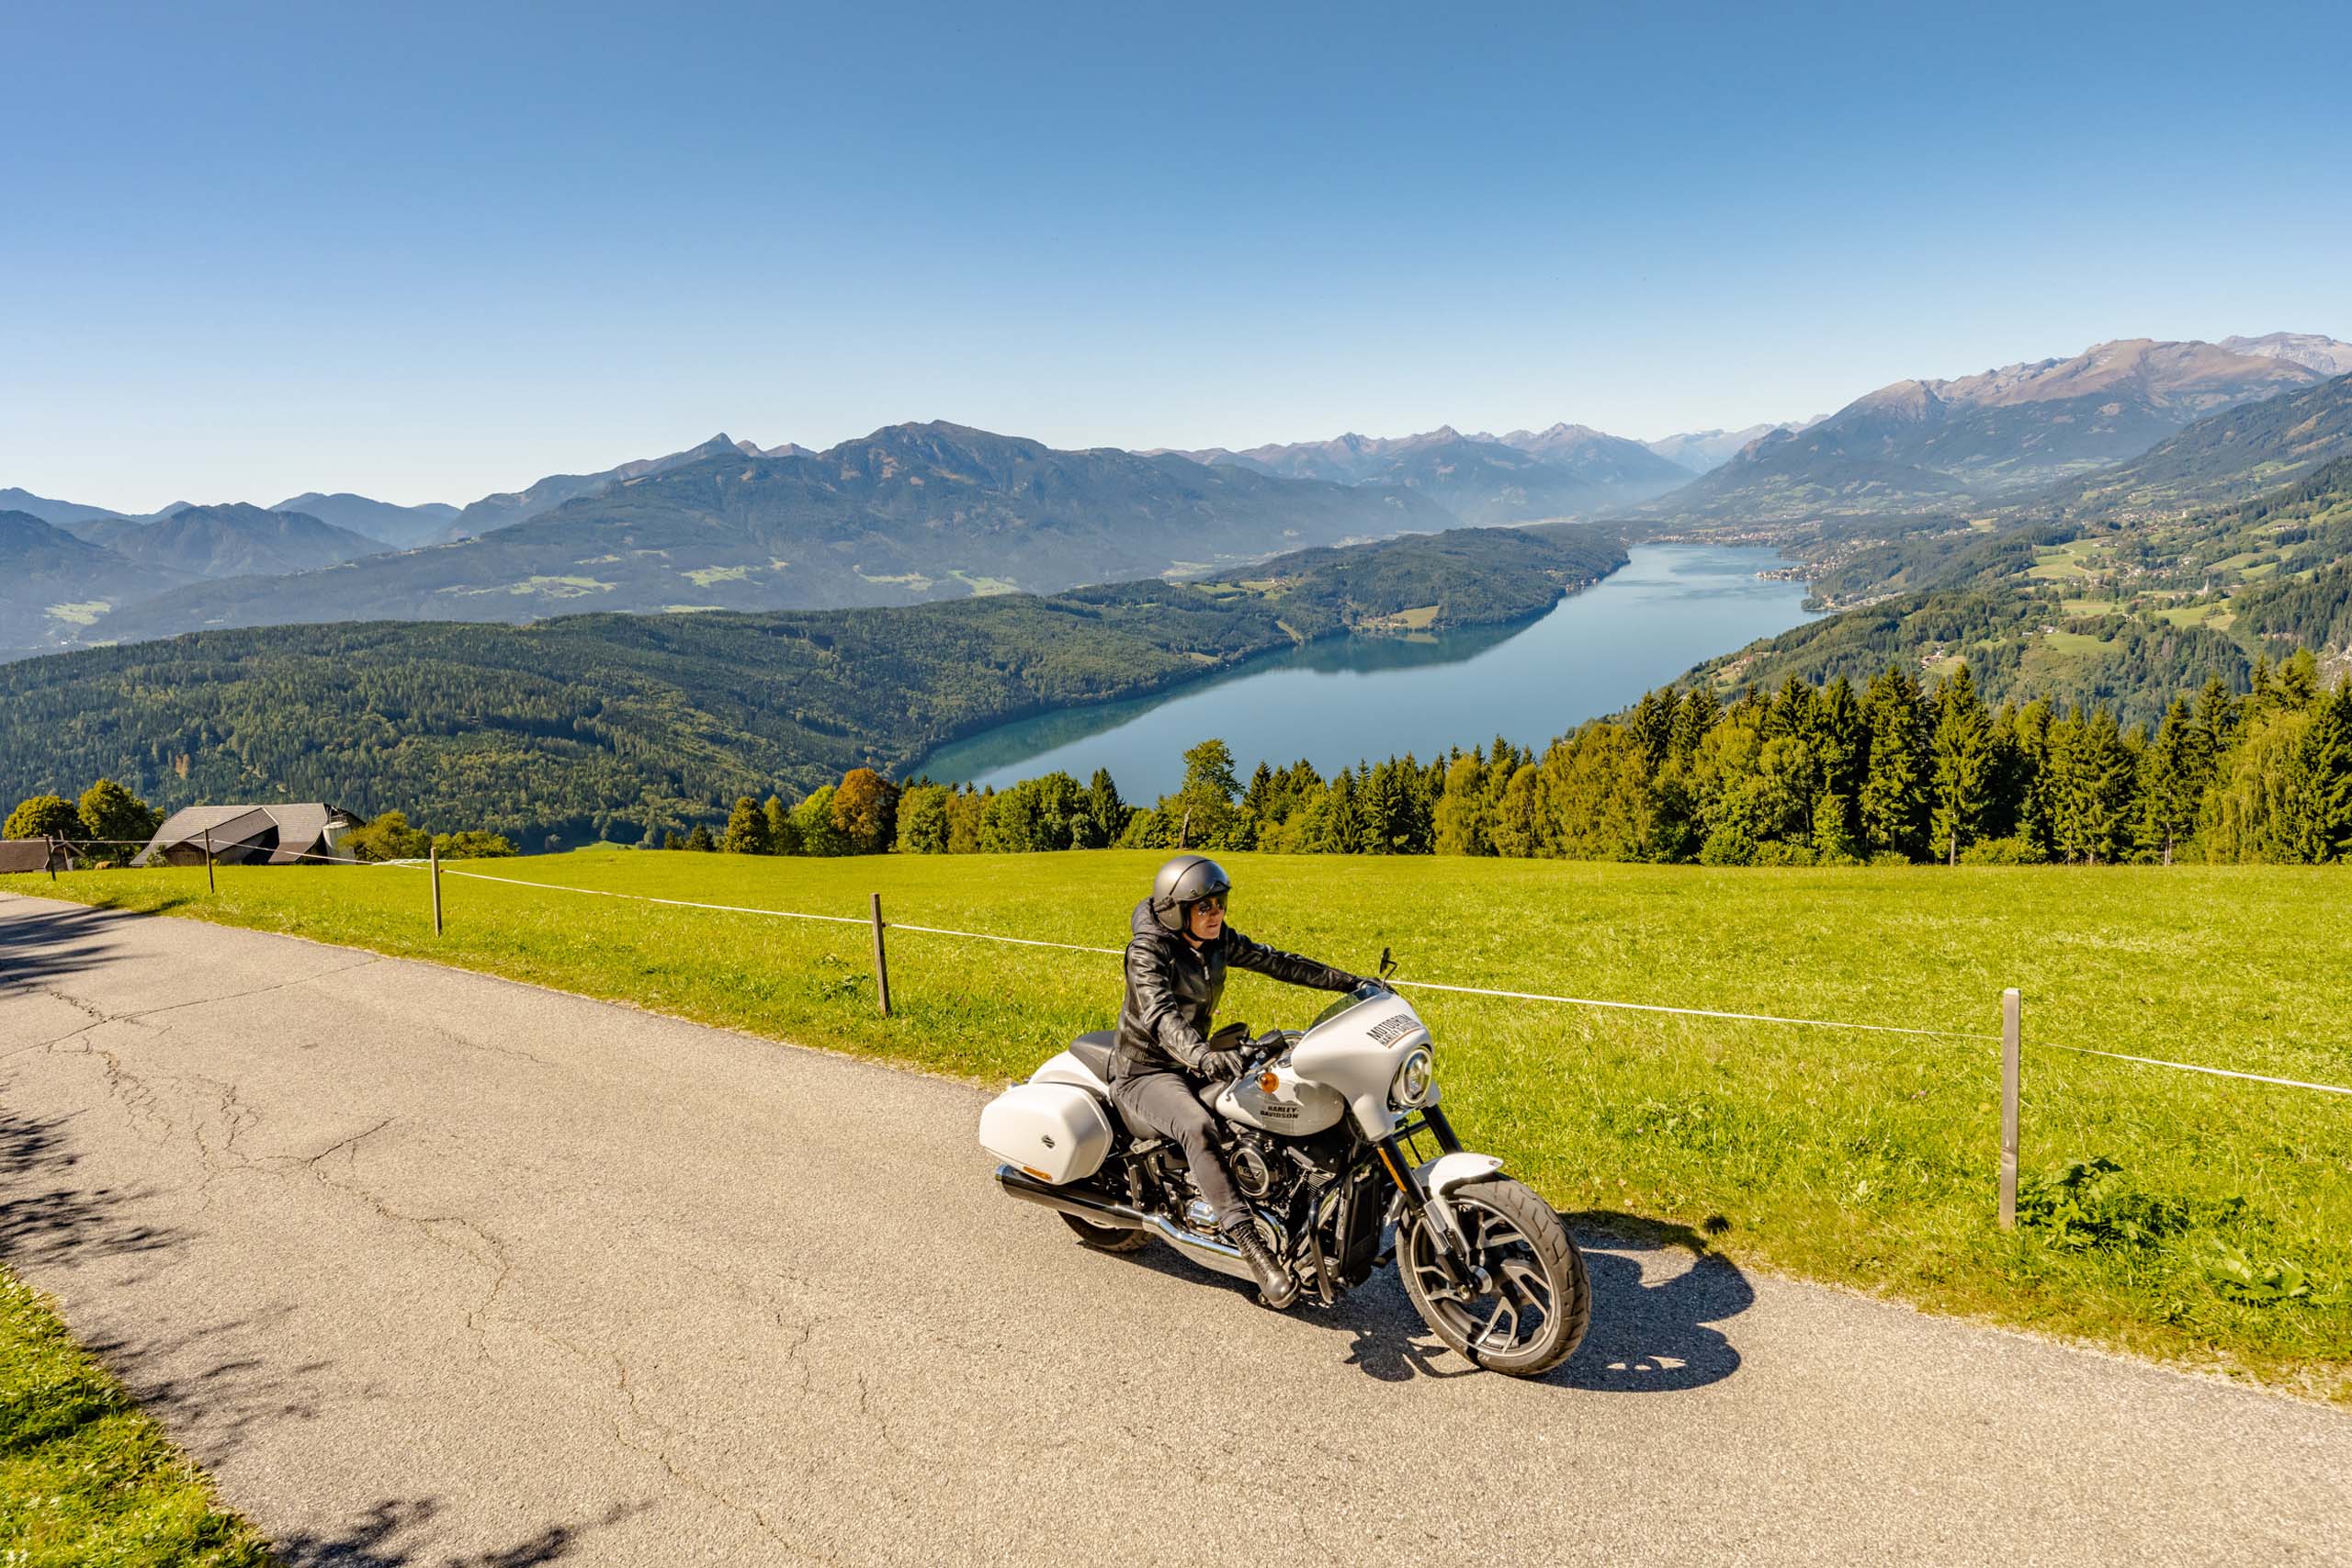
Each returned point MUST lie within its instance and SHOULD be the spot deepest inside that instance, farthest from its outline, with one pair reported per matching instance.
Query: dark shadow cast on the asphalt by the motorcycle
(1652, 1322)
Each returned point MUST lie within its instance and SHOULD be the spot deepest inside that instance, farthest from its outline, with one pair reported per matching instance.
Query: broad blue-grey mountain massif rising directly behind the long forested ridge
(902, 516)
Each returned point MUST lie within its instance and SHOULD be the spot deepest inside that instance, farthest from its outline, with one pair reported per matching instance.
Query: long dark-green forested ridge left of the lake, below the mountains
(629, 725)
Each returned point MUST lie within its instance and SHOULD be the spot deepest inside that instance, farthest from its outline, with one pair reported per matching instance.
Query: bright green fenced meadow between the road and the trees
(2221, 1238)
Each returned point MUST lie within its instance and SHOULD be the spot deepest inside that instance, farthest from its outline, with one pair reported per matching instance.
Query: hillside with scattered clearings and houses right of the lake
(2221, 547)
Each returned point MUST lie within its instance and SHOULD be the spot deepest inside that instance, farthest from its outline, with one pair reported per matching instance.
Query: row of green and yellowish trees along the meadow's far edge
(1810, 775)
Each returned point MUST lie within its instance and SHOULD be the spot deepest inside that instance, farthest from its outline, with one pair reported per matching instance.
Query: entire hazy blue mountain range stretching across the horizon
(942, 511)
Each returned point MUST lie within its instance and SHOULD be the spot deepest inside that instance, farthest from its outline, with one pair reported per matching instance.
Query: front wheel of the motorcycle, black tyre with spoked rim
(1537, 1299)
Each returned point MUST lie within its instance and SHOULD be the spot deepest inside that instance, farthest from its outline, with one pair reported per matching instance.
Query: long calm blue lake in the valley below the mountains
(1347, 699)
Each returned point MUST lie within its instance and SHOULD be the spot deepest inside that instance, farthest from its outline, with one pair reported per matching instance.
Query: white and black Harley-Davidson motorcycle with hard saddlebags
(1323, 1139)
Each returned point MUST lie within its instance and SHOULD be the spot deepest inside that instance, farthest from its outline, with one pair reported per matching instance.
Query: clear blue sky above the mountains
(427, 253)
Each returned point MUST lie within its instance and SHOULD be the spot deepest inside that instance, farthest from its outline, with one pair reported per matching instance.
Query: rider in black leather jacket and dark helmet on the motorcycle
(1175, 979)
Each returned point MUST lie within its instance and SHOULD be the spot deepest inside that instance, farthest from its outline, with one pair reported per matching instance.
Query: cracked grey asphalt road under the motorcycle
(434, 1268)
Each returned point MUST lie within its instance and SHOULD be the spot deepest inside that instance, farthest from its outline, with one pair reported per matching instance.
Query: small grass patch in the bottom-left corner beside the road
(83, 1475)
